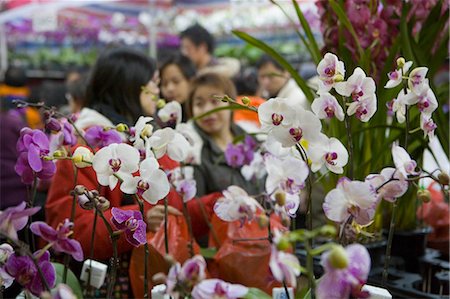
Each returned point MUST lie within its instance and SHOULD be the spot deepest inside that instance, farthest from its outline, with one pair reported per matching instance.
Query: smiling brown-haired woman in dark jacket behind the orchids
(216, 131)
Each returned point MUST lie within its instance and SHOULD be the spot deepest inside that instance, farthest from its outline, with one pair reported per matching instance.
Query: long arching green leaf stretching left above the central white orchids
(286, 65)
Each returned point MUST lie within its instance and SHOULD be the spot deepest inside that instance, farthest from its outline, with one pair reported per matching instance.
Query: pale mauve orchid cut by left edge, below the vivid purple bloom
(15, 218)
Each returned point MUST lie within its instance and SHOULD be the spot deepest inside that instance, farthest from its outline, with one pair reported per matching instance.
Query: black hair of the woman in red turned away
(117, 79)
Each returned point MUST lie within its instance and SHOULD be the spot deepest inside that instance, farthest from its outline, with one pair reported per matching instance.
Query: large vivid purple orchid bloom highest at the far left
(32, 146)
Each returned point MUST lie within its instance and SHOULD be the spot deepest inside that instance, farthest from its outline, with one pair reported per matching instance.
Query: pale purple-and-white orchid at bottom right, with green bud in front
(345, 276)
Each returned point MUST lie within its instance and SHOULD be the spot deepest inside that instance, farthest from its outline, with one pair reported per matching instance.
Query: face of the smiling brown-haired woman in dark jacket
(203, 101)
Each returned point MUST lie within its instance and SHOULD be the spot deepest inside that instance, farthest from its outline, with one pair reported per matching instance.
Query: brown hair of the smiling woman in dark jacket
(210, 79)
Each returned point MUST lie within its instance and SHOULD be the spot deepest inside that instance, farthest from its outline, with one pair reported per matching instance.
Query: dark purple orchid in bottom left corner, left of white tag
(23, 269)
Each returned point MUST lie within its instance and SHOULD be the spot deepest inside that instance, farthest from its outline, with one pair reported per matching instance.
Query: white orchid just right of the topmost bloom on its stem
(357, 86)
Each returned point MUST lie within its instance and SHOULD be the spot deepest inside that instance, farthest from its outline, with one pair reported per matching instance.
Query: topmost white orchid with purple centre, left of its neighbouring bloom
(329, 69)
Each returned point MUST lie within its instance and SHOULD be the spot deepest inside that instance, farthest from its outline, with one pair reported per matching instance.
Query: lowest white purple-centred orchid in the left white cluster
(151, 184)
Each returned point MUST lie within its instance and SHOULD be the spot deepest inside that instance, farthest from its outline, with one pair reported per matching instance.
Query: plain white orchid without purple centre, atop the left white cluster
(169, 141)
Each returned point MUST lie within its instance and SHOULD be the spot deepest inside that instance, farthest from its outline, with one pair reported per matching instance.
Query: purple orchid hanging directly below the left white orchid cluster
(132, 224)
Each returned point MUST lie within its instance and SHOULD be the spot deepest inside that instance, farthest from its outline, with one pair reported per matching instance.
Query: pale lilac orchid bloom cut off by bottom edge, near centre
(216, 288)
